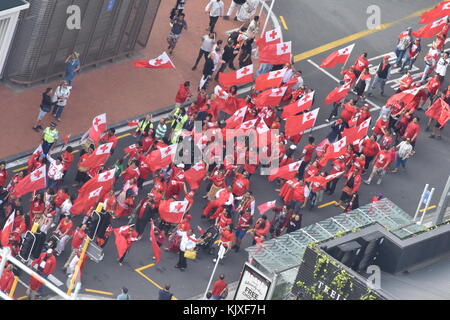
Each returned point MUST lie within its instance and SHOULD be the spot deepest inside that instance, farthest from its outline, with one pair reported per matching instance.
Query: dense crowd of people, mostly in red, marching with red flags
(228, 201)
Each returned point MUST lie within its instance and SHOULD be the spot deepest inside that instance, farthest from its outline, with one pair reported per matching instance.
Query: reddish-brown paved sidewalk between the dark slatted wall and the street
(118, 89)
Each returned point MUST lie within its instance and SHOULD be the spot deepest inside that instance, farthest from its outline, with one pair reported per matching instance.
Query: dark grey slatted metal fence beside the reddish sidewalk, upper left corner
(109, 29)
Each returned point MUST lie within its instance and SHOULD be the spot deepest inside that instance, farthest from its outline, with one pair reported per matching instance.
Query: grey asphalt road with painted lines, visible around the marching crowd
(311, 24)
